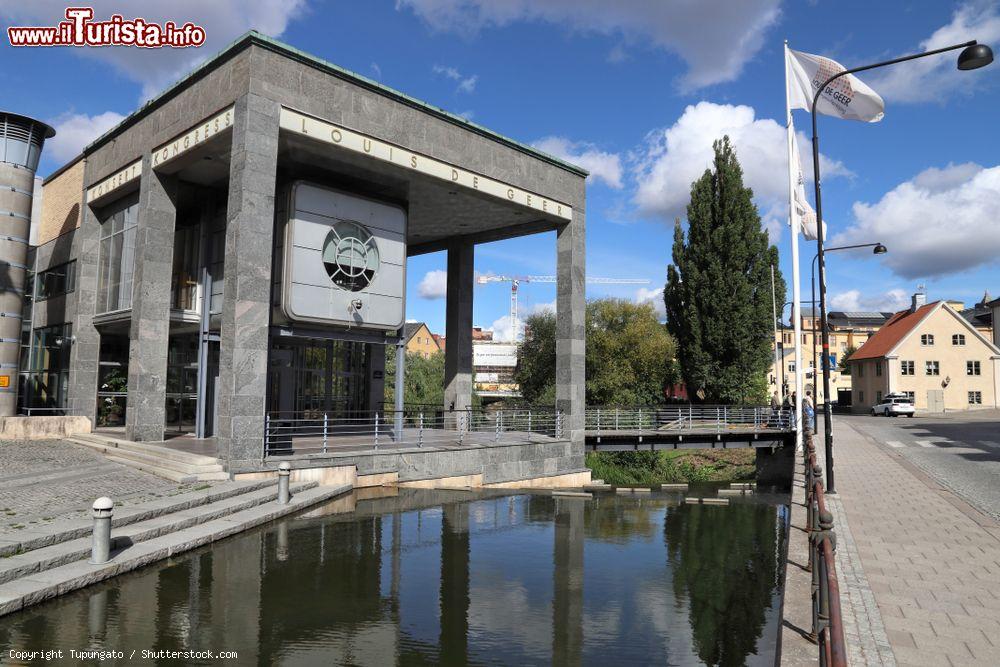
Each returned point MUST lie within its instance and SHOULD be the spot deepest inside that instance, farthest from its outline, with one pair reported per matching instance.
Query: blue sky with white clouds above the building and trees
(636, 91)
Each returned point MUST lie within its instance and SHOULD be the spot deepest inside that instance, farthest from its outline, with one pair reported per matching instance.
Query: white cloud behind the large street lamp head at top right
(935, 78)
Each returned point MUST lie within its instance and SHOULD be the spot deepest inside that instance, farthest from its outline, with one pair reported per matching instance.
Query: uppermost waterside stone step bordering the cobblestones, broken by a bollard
(70, 529)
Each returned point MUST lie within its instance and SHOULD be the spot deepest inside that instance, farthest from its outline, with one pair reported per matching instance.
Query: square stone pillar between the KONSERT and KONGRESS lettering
(149, 331)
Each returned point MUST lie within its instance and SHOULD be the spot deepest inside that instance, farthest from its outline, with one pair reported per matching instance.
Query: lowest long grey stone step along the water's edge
(26, 591)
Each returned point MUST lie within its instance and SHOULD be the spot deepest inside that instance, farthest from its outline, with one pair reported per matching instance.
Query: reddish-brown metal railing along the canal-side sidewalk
(827, 618)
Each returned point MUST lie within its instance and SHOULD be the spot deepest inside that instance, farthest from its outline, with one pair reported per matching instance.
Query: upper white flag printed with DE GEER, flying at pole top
(847, 97)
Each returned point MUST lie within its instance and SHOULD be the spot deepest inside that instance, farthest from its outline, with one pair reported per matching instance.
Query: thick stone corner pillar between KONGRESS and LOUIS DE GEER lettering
(247, 302)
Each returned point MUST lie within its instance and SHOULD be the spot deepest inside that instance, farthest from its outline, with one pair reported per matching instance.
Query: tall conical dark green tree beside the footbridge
(718, 291)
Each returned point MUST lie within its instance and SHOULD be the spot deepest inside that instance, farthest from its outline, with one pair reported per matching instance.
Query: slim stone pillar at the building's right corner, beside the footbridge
(571, 329)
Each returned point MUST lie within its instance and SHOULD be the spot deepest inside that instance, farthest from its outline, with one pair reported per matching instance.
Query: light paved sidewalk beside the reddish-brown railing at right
(931, 561)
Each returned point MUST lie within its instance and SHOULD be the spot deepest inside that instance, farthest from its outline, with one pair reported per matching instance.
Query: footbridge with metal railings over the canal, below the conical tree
(616, 428)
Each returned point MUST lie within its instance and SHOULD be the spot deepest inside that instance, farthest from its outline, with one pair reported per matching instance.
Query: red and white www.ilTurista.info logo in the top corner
(79, 29)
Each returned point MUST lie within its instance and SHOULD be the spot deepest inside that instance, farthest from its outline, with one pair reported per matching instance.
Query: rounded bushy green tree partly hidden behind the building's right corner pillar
(629, 355)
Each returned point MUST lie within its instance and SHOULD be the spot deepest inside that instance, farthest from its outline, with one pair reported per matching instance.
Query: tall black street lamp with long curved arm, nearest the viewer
(973, 56)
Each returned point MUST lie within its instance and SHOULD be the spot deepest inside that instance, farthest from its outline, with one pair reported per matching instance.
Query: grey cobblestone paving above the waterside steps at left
(48, 479)
